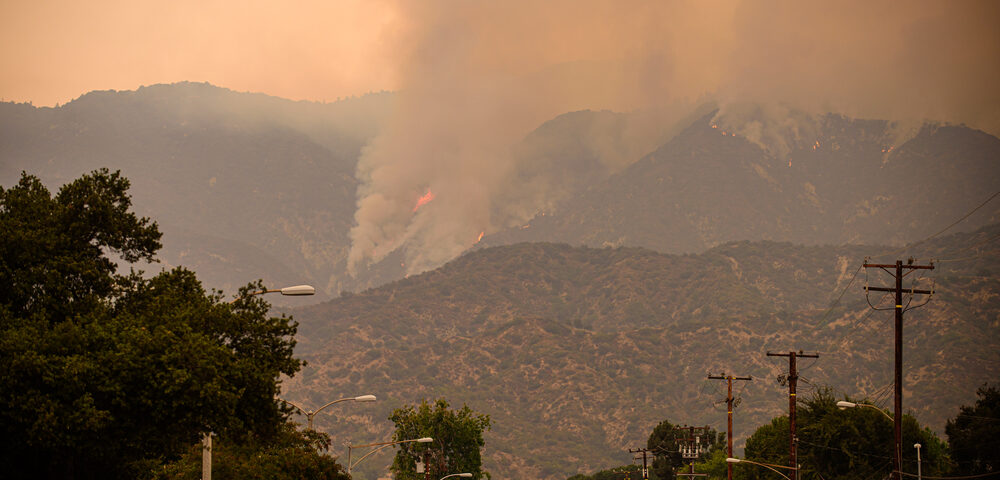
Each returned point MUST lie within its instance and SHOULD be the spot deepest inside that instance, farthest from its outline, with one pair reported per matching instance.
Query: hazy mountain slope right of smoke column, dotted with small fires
(842, 182)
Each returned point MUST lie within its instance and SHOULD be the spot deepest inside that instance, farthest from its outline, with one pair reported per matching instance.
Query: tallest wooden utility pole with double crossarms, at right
(897, 458)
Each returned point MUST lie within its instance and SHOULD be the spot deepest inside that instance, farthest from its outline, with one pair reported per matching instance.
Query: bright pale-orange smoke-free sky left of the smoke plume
(53, 51)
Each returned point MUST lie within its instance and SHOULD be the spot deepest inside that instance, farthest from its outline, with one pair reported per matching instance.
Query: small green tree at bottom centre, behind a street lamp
(457, 434)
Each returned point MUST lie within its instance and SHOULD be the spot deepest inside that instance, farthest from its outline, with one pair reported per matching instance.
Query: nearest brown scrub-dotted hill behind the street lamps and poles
(577, 353)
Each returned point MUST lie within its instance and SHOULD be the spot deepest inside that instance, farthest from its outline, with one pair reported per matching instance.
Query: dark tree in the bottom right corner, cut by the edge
(974, 434)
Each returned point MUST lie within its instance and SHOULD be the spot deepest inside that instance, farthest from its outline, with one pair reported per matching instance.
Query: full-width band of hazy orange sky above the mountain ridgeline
(868, 58)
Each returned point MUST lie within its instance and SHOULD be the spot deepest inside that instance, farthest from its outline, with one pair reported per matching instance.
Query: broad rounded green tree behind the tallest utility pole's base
(842, 444)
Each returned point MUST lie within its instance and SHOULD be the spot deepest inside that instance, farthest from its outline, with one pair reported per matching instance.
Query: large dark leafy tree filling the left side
(109, 376)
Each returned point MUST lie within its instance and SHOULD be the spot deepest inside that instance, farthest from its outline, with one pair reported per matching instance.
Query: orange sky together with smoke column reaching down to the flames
(474, 76)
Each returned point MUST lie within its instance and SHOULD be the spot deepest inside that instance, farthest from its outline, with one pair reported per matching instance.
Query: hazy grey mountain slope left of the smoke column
(243, 185)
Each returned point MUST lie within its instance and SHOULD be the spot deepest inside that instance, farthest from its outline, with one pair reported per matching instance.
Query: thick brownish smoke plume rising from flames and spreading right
(475, 77)
